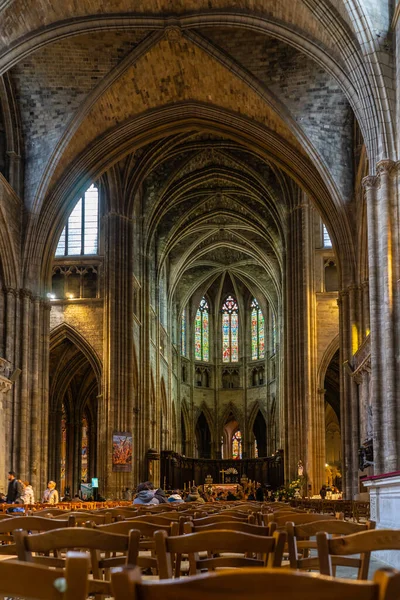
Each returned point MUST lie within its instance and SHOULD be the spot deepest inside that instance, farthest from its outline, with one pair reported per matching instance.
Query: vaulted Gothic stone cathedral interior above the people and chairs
(199, 238)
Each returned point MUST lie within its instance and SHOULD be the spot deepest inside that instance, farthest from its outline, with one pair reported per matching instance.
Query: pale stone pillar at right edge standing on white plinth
(383, 255)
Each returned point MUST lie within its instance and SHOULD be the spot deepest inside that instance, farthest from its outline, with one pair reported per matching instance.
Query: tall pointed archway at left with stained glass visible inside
(73, 415)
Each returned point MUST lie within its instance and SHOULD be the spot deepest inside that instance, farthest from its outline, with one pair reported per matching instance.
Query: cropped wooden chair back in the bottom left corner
(23, 580)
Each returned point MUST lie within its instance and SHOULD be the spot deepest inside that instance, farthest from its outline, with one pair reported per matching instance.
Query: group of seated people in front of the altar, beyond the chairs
(146, 493)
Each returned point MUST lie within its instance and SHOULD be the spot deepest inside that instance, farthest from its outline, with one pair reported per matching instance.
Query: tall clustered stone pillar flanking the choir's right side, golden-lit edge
(304, 414)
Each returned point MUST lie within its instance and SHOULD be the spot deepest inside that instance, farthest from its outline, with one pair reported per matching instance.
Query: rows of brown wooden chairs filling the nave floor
(179, 543)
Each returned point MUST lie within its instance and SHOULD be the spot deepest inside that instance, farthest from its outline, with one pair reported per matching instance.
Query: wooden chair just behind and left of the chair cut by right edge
(298, 539)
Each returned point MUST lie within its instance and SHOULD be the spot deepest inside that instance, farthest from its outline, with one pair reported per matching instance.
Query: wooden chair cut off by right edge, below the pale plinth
(357, 543)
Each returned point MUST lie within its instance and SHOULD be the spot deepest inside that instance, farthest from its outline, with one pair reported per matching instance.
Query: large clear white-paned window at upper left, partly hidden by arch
(80, 235)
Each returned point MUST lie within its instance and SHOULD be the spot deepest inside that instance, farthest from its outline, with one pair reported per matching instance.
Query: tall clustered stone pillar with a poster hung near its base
(116, 407)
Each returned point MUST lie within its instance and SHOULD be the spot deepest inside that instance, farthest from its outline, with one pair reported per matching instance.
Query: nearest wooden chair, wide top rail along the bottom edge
(251, 583)
